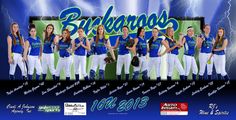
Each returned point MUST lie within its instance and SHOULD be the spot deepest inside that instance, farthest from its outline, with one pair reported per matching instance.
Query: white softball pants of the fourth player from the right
(172, 61)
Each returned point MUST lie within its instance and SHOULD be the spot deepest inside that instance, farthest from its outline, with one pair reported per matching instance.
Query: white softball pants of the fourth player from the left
(63, 63)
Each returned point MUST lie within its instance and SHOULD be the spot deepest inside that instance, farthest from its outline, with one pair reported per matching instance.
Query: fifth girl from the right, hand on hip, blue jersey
(154, 48)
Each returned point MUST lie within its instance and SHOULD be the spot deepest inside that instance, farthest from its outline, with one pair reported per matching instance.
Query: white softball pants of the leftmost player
(18, 60)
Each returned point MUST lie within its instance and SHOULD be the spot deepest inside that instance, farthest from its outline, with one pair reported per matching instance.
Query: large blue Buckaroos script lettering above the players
(70, 15)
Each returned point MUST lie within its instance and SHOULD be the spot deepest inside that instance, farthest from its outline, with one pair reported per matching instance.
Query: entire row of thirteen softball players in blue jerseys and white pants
(211, 51)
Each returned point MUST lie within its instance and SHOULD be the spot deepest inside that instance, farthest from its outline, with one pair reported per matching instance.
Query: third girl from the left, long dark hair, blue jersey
(50, 39)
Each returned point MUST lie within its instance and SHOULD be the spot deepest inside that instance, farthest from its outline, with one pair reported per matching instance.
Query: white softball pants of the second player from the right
(203, 58)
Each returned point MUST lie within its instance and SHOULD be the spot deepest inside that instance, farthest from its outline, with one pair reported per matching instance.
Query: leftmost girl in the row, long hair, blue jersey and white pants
(15, 42)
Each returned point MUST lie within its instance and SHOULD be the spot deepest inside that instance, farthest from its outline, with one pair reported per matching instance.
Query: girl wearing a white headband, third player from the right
(189, 52)
